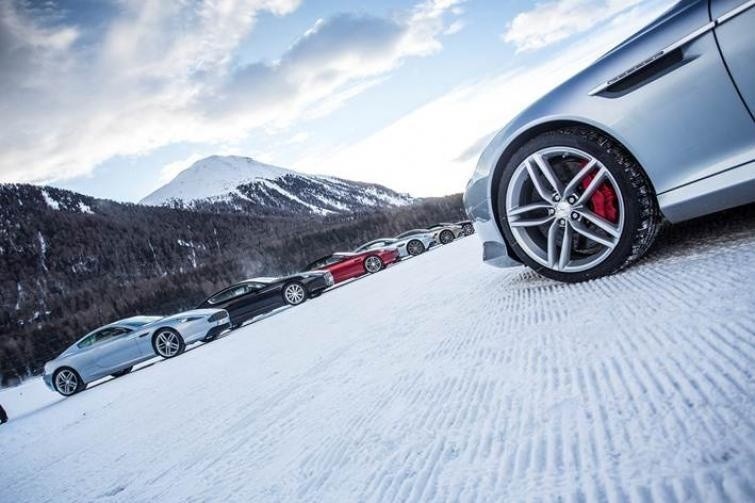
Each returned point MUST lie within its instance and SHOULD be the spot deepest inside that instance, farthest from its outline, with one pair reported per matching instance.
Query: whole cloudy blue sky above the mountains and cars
(113, 98)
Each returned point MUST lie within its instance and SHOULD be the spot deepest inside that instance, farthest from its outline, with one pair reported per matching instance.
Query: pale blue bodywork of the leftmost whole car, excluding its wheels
(107, 357)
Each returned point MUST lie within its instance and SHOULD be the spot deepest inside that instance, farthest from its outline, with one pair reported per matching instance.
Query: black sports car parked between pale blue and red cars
(258, 296)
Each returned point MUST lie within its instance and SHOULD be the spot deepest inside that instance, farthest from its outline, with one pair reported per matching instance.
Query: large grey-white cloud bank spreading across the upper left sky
(160, 73)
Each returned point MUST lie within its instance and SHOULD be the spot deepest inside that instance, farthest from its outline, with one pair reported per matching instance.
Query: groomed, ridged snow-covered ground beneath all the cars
(440, 379)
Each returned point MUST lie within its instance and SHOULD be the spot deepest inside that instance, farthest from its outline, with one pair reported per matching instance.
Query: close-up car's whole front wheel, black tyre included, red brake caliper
(574, 205)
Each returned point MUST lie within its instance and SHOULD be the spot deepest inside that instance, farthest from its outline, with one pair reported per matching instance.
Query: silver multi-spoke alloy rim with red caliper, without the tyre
(565, 209)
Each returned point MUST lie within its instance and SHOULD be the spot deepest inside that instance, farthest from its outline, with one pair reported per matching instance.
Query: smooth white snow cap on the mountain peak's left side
(215, 176)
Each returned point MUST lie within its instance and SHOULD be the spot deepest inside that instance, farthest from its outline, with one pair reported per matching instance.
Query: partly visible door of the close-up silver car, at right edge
(735, 32)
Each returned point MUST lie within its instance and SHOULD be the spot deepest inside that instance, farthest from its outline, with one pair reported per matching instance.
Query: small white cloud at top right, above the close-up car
(551, 22)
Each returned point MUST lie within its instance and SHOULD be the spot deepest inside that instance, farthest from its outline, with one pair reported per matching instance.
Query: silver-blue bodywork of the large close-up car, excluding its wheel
(687, 124)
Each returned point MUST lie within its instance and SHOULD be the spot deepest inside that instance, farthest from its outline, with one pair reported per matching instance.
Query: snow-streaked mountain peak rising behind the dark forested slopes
(241, 184)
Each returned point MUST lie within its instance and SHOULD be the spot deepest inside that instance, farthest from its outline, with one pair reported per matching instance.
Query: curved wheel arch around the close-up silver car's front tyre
(528, 133)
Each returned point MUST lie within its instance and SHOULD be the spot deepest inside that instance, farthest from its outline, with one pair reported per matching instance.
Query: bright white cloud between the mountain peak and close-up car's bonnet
(433, 150)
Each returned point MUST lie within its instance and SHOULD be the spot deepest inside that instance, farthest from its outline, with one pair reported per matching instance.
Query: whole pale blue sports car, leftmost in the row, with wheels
(115, 348)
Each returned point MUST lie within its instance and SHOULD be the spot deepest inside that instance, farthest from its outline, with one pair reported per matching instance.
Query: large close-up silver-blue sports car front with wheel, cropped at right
(663, 126)
